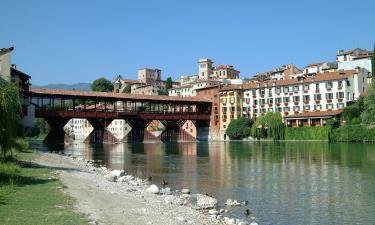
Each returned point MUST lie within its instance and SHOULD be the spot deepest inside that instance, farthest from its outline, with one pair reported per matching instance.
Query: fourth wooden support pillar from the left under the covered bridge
(174, 132)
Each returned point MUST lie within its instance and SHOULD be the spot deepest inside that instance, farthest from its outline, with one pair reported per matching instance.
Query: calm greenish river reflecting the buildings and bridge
(285, 183)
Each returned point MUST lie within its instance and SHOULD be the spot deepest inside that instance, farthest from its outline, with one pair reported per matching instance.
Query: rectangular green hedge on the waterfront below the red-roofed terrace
(307, 133)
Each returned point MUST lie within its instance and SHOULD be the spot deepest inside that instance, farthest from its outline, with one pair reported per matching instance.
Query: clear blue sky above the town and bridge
(74, 41)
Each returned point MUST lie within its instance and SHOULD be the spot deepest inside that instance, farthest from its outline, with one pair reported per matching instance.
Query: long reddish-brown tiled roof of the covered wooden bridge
(43, 92)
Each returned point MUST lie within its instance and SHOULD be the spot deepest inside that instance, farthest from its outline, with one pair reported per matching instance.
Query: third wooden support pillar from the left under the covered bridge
(139, 133)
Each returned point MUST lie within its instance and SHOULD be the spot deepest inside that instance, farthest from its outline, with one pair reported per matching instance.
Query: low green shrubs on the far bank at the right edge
(353, 133)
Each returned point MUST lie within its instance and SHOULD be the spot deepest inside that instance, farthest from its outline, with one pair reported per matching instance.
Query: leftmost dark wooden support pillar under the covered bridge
(57, 134)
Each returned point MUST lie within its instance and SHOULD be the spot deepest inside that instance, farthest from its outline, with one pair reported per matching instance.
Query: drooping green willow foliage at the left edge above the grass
(9, 116)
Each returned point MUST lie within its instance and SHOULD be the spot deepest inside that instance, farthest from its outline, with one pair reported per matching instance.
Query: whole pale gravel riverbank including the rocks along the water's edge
(114, 197)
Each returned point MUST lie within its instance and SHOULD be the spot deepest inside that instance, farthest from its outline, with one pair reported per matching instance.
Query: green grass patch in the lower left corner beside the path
(30, 194)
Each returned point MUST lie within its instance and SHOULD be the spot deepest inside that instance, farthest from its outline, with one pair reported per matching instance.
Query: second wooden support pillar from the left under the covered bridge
(100, 133)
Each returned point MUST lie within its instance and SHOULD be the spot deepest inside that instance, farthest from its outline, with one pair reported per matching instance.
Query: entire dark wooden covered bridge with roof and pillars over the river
(57, 107)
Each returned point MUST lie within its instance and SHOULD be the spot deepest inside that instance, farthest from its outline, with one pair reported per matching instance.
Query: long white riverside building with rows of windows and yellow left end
(328, 91)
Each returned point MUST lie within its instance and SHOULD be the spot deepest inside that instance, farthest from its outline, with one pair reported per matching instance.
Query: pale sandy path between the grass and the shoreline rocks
(117, 203)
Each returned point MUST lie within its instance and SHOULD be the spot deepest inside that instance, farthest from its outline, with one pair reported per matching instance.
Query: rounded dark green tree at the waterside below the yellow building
(239, 128)
